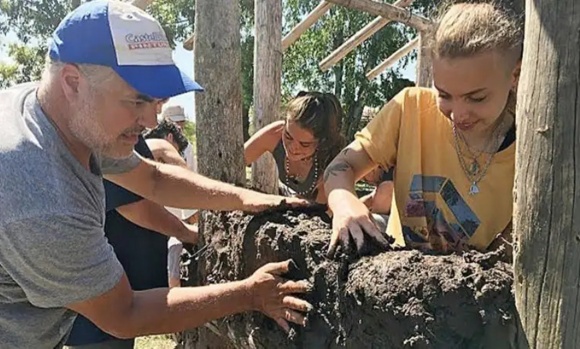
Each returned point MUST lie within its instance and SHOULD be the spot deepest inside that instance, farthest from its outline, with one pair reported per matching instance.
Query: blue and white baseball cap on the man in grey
(125, 38)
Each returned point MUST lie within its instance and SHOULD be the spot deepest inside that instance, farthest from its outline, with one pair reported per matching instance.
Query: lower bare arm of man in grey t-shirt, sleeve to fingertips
(128, 314)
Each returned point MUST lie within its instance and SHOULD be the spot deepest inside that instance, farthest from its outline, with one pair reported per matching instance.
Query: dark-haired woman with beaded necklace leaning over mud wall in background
(302, 144)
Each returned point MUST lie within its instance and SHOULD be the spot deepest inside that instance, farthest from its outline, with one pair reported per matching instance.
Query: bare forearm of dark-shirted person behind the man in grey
(154, 217)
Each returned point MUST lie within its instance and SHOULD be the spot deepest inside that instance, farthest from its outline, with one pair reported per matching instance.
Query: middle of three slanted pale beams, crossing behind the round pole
(358, 38)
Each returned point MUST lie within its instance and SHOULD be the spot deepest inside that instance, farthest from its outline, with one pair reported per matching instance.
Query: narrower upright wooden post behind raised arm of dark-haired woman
(267, 84)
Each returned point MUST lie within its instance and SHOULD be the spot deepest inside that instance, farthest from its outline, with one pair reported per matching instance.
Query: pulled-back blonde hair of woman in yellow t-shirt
(468, 29)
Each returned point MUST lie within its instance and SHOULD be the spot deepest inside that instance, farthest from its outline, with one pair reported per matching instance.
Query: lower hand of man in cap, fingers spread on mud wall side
(275, 297)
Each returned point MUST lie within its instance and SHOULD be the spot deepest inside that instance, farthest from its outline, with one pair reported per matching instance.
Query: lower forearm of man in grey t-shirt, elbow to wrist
(164, 310)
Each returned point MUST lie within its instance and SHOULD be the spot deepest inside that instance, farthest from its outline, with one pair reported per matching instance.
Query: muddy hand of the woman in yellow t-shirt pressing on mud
(352, 221)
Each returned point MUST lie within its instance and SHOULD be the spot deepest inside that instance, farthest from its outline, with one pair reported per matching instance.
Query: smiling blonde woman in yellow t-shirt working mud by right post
(452, 146)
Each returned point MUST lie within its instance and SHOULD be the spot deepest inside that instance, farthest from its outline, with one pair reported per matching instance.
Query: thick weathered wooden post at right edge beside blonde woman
(547, 216)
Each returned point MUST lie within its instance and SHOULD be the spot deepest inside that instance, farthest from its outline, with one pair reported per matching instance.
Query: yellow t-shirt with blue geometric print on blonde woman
(432, 208)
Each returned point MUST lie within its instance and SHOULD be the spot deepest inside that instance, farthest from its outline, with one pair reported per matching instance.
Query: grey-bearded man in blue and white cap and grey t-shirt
(109, 65)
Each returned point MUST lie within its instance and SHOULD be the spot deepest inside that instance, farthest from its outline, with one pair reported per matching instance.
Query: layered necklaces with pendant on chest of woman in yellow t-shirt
(473, 169)
